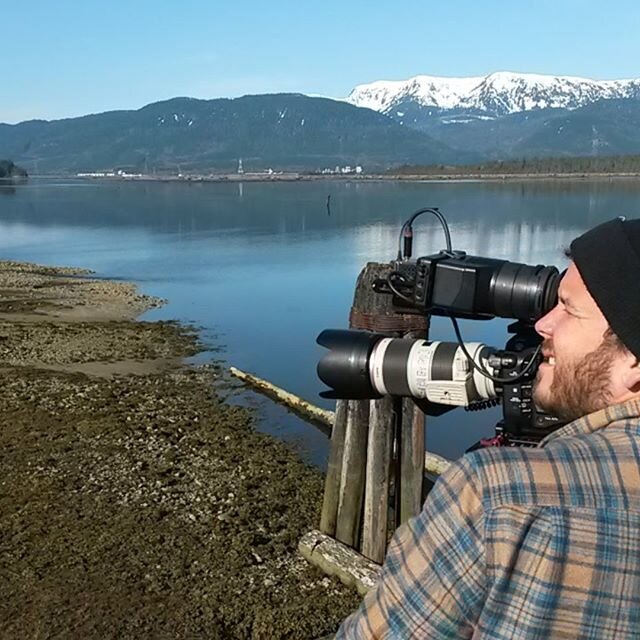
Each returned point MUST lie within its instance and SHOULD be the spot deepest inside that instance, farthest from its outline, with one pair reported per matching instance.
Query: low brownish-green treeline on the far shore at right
(546, 166)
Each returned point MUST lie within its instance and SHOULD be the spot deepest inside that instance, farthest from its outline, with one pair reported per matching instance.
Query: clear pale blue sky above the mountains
(64, 58)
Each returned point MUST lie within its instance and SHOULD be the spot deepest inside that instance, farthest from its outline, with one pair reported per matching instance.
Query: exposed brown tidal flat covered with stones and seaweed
(134, 502)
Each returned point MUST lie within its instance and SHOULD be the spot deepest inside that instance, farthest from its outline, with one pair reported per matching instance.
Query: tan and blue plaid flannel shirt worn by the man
(522, 543)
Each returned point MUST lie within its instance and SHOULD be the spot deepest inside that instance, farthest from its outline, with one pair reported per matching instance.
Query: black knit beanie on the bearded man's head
(608, 259)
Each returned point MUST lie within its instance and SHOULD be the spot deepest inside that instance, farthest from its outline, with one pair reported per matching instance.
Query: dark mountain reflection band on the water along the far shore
(279, 207)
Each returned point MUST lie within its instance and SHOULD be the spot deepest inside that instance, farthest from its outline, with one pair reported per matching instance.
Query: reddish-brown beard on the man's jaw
(580, 388)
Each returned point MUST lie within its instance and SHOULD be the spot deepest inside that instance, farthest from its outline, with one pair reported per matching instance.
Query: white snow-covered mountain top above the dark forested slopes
(497, 94)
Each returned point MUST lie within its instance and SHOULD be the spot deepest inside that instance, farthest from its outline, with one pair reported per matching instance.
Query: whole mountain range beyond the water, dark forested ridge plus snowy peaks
(295, 132)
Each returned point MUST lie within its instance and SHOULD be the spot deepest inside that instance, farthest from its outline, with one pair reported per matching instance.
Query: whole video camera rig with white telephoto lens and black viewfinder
(440, 376)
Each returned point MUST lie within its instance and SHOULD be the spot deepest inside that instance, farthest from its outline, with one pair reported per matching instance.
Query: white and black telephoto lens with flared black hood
(361, 365)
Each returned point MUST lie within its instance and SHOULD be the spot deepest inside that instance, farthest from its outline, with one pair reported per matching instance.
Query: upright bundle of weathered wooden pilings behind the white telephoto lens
(356, 498)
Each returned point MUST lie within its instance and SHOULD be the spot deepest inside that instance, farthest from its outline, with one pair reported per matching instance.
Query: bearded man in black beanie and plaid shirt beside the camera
(543, 542)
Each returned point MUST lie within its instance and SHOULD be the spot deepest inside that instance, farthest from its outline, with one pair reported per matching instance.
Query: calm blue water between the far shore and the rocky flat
(262, 268)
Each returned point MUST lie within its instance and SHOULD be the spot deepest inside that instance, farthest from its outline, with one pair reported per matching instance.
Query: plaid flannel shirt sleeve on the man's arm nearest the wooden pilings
(433, 583)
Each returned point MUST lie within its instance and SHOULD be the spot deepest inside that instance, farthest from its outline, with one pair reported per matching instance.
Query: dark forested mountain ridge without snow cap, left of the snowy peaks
(279, 131)
